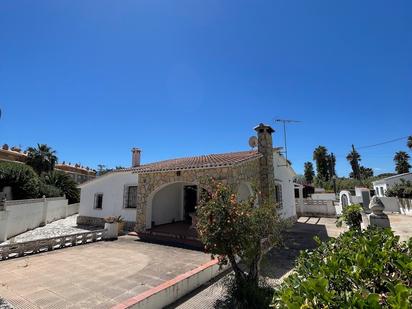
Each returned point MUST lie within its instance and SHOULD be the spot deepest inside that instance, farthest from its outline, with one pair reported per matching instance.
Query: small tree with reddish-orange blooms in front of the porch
(232, 229)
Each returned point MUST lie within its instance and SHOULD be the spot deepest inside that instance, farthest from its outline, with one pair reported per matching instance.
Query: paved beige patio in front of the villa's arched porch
(97, 275)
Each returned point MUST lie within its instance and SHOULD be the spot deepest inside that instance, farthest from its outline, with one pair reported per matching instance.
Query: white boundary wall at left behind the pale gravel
(22, 215)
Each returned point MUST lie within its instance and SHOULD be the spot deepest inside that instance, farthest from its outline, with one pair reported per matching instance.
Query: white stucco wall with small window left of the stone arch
(112, 186)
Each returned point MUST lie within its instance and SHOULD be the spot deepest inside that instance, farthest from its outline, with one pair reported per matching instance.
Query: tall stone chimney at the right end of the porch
(266, 169)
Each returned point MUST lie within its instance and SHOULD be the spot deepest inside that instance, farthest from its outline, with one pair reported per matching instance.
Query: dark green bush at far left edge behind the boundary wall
(21, 178)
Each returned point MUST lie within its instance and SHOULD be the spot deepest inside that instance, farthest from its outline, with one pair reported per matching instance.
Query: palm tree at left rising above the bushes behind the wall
(42, 159)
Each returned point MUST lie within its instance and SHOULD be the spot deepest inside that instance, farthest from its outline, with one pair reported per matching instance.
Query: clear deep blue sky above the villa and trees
(95, 78)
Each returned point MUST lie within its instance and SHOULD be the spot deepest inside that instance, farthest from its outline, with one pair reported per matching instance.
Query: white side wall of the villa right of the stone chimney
(284, 176)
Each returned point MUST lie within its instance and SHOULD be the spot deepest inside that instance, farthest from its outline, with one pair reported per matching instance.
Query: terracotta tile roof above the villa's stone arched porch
(198, 162)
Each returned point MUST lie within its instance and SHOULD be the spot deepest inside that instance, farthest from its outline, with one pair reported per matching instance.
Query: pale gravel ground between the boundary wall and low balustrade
(57, 228)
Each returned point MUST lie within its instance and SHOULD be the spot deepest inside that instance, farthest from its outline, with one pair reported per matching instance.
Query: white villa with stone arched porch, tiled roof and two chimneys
(166, 192)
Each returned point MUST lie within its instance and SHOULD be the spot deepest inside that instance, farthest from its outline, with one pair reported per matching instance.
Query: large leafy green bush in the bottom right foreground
(368, 269)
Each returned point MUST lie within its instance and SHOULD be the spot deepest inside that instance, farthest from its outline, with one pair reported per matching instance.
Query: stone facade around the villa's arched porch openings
(150, 183)
